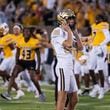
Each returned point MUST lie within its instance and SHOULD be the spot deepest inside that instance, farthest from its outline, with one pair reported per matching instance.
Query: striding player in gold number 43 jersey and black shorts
(27, 47)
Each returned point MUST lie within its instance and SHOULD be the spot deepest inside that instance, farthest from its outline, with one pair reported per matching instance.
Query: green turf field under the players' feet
(28, 102)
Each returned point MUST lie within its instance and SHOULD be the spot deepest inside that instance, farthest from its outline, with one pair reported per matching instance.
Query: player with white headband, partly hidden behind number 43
(26, 80)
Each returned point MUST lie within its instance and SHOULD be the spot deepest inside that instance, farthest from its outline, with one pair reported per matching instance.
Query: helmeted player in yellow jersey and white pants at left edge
(9, 58)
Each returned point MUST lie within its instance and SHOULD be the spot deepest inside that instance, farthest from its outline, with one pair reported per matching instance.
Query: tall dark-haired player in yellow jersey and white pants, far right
(101, 36)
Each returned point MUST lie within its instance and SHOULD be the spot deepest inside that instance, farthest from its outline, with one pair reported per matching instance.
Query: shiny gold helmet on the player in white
(64, 15)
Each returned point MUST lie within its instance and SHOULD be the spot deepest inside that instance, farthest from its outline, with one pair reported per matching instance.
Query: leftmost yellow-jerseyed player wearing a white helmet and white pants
(6, 46)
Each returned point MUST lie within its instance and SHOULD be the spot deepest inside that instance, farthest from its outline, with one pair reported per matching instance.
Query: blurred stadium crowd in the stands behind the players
(36, 12)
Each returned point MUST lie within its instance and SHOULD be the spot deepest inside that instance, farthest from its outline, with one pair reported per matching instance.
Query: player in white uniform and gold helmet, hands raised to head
(62, 39)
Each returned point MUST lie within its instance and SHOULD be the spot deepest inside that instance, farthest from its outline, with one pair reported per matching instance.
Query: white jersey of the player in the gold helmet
(58, 36)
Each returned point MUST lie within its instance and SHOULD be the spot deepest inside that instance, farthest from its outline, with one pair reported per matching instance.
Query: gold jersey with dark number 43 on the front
(27, 49)
